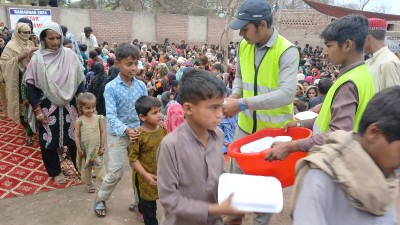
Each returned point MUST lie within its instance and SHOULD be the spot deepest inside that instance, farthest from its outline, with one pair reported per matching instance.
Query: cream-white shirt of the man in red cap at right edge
(385, 69)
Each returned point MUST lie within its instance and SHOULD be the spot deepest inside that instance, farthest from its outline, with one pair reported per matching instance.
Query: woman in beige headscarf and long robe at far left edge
(13, 62)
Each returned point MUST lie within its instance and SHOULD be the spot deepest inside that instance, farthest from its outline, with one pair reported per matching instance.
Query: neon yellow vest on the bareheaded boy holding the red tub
(362, 79)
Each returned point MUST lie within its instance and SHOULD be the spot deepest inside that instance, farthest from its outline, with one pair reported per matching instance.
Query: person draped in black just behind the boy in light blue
(96, 85)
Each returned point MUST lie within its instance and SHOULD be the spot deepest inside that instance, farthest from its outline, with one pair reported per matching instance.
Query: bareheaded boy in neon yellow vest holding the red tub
(347, 98)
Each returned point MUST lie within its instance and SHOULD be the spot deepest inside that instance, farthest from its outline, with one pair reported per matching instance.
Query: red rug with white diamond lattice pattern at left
(21, 168)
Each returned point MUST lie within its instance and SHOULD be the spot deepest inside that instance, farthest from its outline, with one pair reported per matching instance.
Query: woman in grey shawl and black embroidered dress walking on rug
(54, 77)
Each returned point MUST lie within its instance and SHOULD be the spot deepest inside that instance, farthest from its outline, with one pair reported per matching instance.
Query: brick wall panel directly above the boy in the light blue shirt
(111, 26)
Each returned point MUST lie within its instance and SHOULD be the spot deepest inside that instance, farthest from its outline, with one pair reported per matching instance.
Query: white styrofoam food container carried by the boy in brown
(251, 193)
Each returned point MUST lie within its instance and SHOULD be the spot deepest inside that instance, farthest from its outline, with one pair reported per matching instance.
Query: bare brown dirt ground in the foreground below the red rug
(73, 206)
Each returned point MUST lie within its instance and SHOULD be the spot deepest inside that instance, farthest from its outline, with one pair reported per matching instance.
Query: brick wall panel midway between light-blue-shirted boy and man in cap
(173, 27)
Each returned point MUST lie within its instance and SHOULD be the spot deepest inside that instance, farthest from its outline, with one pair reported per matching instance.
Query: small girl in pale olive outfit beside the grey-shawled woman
(90, 139)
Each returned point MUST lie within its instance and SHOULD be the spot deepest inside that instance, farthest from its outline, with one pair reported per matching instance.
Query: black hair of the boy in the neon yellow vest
(351, 27)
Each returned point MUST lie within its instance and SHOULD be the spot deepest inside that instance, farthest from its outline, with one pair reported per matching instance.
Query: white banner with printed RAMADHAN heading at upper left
(37, 16)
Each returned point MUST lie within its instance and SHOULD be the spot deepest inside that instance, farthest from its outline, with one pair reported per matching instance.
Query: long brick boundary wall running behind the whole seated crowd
(301, 25)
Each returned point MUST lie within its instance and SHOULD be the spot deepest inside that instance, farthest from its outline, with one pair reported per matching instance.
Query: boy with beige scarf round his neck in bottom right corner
(351, 179)
